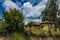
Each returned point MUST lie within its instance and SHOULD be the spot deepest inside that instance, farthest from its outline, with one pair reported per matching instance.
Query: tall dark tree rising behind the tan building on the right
(50, 12)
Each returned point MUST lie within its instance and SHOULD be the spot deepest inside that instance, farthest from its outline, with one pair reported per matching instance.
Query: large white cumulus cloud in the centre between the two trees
(33, 11)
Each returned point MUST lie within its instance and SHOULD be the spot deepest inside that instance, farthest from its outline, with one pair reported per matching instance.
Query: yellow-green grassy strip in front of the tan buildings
(50, 32)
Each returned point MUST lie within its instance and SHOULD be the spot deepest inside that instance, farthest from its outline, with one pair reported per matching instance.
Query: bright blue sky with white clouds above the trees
(30, 8)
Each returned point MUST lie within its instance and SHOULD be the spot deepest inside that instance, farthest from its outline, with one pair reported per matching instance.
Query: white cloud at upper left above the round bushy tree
(9, 4)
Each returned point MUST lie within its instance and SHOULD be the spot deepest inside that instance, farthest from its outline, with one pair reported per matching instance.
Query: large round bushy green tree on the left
(14, 20)
